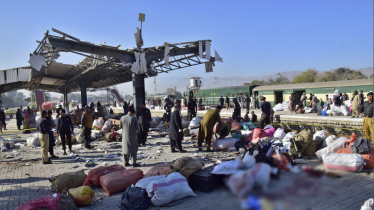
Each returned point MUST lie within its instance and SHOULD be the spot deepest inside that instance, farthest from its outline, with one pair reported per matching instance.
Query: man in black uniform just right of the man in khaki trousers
(65, 128)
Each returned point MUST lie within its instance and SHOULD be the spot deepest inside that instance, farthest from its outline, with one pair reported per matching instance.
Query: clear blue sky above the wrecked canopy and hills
(253, 37)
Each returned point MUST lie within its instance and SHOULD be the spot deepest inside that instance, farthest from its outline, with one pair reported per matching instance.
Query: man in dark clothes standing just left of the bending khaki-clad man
(176, 130)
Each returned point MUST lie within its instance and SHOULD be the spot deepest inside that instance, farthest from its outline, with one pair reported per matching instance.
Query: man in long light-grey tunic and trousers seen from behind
(130, 144)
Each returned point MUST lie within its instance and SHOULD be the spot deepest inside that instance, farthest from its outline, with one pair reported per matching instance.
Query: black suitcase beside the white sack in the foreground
(205, 181)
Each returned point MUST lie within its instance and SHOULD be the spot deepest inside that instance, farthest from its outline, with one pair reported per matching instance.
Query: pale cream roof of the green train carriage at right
(344, 83)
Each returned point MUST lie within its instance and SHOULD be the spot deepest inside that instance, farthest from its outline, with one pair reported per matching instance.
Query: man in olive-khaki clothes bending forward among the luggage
(206, 126)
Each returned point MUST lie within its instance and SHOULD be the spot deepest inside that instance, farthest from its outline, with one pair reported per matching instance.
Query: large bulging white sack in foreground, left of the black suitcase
(172, 187)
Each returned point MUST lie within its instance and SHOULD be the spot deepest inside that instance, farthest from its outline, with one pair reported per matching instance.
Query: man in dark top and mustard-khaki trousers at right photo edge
(367, 113)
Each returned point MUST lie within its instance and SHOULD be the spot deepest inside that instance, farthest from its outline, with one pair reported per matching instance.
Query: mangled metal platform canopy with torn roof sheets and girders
(102, 65)
